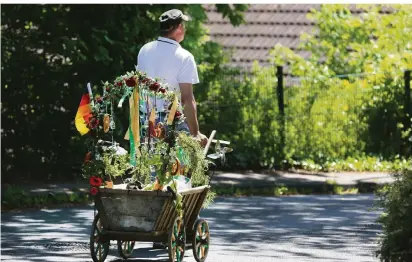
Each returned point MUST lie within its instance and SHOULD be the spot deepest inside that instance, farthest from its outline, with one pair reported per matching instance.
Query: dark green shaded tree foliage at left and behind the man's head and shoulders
(50, 52)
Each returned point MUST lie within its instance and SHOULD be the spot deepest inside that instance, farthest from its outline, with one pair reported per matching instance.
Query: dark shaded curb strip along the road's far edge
(37, 199)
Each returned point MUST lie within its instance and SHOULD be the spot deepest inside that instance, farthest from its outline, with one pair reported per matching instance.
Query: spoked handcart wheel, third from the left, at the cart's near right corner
(177, 241)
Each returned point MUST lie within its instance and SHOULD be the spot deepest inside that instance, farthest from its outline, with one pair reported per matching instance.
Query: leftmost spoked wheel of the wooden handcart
(98, 249)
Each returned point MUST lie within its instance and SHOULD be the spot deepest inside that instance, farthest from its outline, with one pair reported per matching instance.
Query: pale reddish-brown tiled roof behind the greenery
(266, 25)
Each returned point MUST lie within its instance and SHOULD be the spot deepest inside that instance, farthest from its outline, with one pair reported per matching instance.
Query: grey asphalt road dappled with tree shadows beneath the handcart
(298, 228)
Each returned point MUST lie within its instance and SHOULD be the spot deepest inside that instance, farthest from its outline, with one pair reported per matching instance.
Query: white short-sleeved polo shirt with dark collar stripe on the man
(168, 61)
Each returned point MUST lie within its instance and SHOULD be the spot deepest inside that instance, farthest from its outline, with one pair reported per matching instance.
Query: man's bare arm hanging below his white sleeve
(189, 108)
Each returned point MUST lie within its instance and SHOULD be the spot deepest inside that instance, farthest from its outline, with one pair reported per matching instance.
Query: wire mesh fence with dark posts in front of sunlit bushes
(359, 111)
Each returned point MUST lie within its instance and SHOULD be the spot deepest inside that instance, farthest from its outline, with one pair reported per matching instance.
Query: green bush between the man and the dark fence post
(242, 106)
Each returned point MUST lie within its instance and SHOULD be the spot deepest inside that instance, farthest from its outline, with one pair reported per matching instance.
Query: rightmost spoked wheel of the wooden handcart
(200, 240)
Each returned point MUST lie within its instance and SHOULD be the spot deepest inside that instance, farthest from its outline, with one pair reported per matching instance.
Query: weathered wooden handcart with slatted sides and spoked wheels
(149, 216)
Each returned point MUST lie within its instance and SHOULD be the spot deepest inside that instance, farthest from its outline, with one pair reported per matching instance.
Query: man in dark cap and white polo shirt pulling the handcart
(167, 60)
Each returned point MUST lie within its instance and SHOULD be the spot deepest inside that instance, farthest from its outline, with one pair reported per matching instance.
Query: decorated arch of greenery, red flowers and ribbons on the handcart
(155, 148)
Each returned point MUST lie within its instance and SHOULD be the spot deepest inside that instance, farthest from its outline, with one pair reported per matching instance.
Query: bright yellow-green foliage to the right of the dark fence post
(353, 81)
